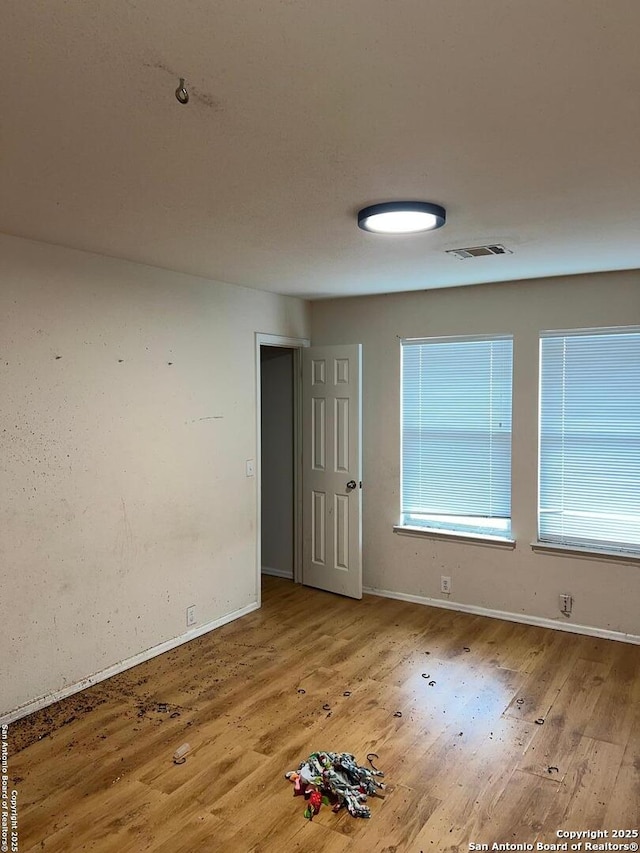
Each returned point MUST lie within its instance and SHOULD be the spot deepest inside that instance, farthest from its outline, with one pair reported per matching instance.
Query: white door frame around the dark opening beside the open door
(295, 344)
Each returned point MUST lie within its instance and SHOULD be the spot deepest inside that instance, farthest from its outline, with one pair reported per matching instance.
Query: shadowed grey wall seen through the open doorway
(277, 461)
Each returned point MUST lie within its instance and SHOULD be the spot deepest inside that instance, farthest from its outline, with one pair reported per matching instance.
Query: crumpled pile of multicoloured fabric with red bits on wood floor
(335, 779)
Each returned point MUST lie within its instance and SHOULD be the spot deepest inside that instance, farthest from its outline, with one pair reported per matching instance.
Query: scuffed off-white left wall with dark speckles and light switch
(127, 414)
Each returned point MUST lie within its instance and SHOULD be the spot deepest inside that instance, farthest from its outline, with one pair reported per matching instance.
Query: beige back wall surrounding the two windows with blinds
(515, 581)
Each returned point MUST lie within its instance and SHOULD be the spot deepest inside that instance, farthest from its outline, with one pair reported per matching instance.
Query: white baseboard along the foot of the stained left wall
(50, 698)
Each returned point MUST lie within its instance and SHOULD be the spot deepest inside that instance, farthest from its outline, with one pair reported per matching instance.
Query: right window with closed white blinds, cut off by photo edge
(589, 493)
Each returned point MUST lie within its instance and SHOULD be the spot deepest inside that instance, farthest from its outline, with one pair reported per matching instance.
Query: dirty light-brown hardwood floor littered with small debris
(466, 763)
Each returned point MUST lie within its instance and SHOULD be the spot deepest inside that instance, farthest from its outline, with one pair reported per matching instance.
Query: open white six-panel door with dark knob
(332, 488)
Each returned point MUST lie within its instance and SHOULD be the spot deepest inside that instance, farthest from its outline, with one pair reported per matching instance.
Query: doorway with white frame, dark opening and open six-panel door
(332, 539)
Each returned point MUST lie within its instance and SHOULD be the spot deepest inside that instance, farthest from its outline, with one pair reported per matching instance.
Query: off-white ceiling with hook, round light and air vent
(521, 117)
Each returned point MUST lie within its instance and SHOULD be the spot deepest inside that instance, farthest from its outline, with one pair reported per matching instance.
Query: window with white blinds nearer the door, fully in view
(456, 435)
